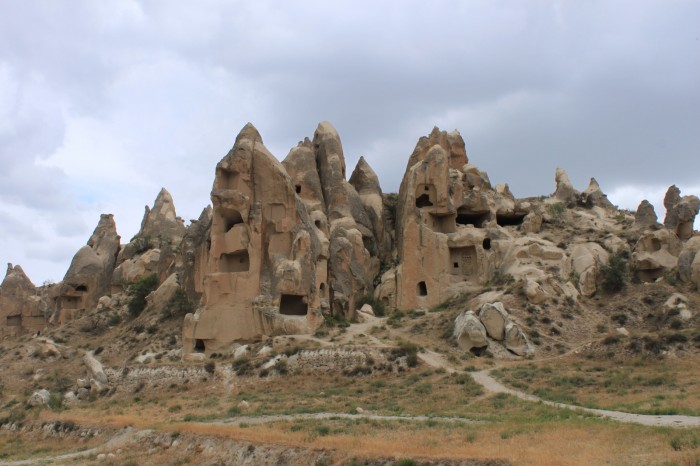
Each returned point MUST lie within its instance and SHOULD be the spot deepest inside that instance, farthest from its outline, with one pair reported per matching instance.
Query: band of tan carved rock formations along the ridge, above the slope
(286, 244)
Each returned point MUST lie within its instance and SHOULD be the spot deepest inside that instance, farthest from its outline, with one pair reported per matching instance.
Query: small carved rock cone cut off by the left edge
(22, 310)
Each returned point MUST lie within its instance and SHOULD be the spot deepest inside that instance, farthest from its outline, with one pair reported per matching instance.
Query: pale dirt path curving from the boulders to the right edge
(492, 385)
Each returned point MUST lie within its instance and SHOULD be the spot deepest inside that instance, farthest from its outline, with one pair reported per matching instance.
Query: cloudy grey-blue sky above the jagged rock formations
(102, 103)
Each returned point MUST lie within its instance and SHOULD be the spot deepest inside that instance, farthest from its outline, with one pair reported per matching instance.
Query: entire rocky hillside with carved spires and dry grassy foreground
(306, 318)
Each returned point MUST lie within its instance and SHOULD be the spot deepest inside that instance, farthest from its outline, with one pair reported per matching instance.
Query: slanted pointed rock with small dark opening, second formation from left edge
(90, 273)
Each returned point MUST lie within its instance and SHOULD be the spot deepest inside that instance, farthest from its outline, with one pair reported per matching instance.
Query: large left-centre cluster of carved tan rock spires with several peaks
(274, 229)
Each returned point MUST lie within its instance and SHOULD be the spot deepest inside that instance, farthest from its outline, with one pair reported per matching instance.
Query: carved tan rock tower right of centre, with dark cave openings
(447, 217)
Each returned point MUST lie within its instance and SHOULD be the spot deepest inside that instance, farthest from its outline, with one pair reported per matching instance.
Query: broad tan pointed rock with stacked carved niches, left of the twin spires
(265, 251)
